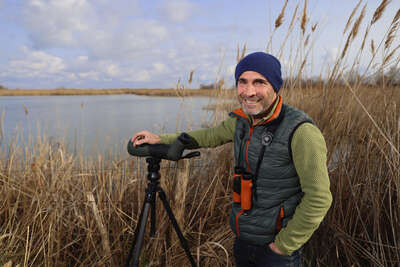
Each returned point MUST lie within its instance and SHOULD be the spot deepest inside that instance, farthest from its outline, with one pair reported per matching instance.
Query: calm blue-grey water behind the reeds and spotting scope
(92, 124)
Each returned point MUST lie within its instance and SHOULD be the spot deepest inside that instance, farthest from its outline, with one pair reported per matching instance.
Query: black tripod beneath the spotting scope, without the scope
(153, 187)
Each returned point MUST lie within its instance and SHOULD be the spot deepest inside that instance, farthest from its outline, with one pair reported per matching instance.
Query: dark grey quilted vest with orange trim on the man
(277, 191)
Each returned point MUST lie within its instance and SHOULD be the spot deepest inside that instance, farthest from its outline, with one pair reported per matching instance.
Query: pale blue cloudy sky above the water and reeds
(156, 44)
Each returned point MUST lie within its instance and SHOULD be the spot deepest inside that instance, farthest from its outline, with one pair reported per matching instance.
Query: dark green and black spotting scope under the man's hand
(172, 152)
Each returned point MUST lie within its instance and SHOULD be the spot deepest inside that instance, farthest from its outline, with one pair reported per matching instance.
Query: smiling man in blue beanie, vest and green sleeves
(281, 181)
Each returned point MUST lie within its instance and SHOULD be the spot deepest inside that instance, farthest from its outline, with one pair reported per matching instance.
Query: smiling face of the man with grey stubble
(255, 93)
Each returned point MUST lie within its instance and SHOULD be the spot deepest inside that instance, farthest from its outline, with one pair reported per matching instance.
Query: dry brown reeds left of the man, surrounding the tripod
(57, 210)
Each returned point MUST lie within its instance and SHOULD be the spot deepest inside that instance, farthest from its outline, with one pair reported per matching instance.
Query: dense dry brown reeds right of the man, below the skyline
(361, 227)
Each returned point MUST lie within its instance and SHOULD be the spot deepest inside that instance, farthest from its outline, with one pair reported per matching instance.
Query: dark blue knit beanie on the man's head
(265, 64)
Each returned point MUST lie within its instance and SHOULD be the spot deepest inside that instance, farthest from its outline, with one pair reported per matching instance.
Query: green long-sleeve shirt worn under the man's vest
(309, 157)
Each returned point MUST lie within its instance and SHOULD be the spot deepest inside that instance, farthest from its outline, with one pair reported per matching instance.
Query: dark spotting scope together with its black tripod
(155, 153)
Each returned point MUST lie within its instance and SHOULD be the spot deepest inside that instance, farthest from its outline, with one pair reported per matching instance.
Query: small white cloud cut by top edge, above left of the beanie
(177, 10)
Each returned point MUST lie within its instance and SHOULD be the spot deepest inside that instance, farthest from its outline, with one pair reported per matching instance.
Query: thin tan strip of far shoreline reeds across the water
(147, 92)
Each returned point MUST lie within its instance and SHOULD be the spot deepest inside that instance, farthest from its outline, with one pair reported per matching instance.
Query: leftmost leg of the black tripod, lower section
(139, 235)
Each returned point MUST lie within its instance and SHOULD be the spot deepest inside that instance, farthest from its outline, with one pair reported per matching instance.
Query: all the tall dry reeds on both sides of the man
(58, 209)
